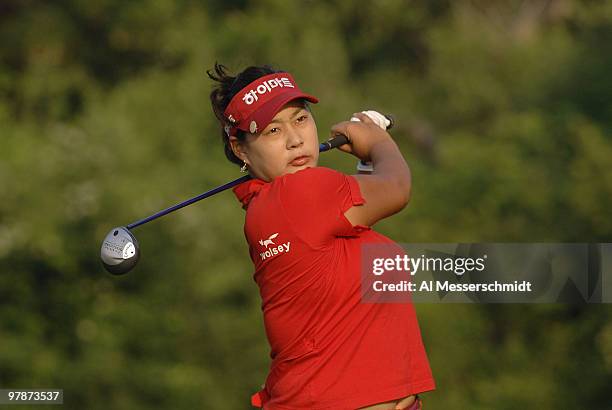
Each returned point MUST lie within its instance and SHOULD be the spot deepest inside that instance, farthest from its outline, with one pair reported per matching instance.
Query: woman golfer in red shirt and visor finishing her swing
(305, 226)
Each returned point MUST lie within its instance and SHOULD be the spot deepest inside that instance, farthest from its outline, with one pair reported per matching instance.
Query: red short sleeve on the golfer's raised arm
(314, 201)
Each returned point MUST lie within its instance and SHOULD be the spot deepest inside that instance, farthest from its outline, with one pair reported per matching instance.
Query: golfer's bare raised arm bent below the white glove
(387, 190)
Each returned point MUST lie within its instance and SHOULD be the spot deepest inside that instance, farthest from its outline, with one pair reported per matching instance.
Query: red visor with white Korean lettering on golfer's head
(252, 109)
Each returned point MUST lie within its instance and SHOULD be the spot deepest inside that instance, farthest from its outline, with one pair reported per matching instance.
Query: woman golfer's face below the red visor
(288, 144)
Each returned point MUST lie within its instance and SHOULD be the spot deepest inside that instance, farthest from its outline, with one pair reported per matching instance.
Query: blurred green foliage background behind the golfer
(504, 114)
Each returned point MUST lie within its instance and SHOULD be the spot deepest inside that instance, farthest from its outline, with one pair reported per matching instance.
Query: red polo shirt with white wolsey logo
(329, 350)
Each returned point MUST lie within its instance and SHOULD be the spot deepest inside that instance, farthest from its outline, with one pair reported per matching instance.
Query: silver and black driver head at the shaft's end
(120, 251)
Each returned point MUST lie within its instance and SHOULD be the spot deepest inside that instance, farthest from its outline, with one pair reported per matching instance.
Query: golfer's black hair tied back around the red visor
(226, 88)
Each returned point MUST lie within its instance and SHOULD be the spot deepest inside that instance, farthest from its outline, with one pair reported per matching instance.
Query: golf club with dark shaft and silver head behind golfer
(120, 250)
